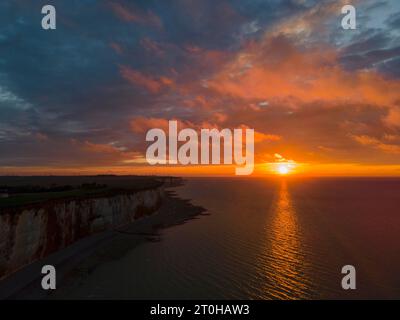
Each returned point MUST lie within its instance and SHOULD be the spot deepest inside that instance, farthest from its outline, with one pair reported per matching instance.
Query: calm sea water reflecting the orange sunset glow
(280, 238)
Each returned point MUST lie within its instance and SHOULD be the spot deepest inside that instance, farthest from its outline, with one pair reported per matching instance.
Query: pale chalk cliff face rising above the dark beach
(31, 233)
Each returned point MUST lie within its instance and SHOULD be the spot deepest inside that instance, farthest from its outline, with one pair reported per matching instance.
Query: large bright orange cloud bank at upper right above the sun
(277, 69)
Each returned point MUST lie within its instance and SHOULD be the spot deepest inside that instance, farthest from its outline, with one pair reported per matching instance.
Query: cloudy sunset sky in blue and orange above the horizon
(80, 99)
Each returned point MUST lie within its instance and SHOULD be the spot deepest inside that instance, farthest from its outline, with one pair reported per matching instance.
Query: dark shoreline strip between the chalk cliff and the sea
(81, 258)
